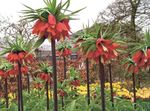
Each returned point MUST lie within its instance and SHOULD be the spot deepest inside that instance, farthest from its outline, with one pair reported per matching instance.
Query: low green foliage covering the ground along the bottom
(36, 101)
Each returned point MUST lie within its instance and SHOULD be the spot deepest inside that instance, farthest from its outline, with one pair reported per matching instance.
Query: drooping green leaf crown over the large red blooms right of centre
(87, 38)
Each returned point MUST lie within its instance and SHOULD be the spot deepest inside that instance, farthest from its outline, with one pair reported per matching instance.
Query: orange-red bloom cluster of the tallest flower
(52, 28)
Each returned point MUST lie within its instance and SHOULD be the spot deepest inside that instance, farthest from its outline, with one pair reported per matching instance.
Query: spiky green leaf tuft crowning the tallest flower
(52, 7)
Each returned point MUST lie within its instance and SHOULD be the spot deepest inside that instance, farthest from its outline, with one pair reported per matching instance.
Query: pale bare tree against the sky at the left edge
(9, 30)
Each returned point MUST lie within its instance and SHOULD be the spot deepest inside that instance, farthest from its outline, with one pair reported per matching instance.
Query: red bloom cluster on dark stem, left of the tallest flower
(21, 56)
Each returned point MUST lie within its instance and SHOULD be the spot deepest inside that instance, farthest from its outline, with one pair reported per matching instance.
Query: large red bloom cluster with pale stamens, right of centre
(104, 48)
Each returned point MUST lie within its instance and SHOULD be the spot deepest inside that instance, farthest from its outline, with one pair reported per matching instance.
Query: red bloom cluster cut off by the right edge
(142, 59)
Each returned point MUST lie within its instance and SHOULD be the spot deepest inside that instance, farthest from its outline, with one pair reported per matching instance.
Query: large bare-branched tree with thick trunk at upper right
(135, 13)
